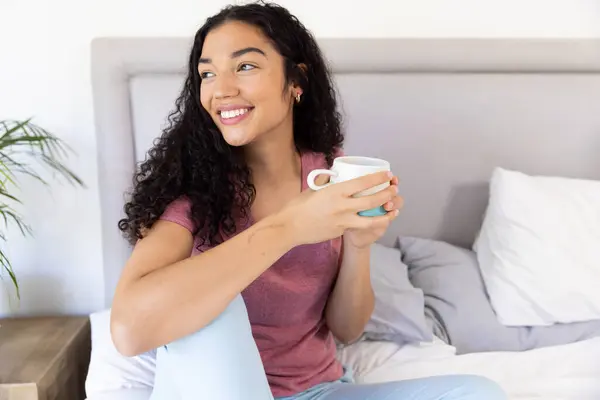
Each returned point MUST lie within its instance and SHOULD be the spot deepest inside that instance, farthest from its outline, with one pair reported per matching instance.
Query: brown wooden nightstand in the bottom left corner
(44, 358)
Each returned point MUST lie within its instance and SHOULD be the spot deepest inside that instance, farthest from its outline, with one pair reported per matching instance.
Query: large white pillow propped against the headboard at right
(539, 249)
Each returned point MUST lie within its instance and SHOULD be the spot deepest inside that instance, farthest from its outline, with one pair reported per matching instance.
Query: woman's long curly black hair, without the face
(191, 158)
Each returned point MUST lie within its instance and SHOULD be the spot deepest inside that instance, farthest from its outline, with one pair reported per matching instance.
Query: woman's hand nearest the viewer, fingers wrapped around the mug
(317, 216)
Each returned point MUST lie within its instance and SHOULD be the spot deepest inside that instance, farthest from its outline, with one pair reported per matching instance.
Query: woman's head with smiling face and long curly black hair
(234, 66)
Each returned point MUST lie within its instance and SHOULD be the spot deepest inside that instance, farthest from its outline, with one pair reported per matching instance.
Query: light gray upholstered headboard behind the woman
(444, 112)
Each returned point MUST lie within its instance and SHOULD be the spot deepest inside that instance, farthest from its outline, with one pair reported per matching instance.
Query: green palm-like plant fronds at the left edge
(22, 145)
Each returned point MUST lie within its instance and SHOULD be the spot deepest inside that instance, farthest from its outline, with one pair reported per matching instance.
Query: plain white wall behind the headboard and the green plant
(45, 73)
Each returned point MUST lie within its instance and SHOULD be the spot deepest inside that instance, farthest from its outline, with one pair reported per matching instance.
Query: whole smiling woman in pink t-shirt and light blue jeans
(241, 276)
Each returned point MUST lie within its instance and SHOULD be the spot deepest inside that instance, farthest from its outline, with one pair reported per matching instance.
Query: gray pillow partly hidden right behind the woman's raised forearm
(399, 313)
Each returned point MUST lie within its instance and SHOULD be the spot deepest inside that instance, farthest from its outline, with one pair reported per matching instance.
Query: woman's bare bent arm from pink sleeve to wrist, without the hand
(165, 294)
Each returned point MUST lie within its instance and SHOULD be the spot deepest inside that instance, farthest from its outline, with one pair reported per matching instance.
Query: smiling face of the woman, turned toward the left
(243, 83)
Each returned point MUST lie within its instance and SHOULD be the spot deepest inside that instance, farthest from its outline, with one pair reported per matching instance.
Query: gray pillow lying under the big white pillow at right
(458, 307)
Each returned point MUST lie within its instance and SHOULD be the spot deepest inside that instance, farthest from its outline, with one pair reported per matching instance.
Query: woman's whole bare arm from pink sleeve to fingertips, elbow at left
(164, 294)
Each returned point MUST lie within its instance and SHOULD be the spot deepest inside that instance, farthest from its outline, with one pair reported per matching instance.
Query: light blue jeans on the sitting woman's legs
(221, 362)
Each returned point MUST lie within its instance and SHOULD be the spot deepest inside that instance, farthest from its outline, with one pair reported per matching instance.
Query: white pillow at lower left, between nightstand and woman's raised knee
(112, 375)
